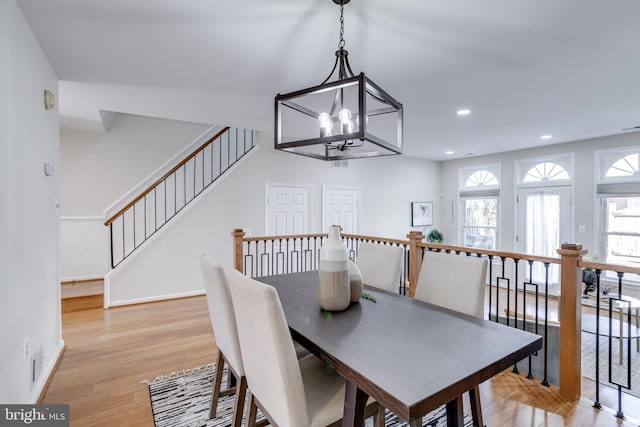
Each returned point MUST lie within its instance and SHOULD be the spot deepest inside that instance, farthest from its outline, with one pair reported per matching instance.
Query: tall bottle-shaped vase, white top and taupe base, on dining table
(333, 284)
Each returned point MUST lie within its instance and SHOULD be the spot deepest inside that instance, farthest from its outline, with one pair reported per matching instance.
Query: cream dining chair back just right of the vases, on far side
(380, 265)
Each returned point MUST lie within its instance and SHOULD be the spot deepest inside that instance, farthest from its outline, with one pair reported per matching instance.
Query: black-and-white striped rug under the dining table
(183, 398)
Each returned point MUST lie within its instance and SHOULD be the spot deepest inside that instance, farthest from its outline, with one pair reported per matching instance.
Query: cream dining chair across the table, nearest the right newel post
(456, 282)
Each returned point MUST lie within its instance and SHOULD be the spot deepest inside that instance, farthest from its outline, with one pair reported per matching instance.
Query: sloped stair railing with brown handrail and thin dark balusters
(141, 218)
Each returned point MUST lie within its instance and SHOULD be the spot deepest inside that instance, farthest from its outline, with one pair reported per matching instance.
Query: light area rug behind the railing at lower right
(619, 372)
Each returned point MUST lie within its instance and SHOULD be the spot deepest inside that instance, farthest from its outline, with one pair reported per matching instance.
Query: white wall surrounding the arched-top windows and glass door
(584, 184)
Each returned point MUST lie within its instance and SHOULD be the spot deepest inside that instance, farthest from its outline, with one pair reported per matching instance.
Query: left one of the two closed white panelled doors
(287, 210)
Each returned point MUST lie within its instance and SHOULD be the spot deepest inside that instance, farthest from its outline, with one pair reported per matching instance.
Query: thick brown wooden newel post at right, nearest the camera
(570, 317)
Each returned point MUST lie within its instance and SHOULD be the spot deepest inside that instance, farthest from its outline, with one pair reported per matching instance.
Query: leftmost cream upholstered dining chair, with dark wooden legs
(223, 321)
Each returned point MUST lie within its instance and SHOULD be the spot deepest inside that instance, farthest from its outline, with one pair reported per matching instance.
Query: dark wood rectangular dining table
(412, 357)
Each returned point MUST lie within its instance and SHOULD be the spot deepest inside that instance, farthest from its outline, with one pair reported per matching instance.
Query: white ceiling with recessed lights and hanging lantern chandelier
(524, 68)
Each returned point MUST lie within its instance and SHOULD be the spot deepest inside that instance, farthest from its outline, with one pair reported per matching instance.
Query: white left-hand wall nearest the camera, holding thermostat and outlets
(30, 302)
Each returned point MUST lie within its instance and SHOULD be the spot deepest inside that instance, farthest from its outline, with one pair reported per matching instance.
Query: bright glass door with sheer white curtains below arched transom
(544, 222)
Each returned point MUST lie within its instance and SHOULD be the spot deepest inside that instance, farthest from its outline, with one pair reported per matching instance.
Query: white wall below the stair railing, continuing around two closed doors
(169, 265)
